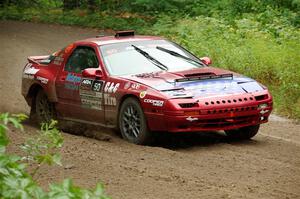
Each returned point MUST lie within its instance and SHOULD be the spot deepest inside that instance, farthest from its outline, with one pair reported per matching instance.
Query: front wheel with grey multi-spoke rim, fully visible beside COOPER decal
(132, 123)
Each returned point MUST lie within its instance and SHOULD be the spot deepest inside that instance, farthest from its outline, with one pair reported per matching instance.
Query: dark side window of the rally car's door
(82, 57)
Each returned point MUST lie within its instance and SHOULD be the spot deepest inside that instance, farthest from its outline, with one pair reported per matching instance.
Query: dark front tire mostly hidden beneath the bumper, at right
(243, 133)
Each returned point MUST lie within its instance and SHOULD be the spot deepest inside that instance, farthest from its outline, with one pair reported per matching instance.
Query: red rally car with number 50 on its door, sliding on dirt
(142, 84)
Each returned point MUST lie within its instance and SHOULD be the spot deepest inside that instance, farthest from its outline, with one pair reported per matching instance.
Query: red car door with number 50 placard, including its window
(80, 98)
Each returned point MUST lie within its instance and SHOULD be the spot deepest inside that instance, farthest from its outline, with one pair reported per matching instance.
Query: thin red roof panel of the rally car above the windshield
(103, 40)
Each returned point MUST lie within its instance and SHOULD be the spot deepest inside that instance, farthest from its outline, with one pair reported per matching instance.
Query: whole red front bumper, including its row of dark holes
(213, 116)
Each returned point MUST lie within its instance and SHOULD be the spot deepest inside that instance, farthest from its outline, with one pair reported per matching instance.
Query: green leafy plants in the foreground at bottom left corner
(15, 183)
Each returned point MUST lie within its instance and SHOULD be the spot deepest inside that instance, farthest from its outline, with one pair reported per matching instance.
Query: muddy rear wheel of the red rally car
(44, 109)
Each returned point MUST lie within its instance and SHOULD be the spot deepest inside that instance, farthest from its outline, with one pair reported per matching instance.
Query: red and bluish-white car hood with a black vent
(206, 81)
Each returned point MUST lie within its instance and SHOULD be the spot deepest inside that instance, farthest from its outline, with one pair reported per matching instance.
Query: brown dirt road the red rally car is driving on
(203, 165)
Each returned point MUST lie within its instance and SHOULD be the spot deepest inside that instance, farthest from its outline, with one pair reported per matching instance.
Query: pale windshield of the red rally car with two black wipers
(128, 59)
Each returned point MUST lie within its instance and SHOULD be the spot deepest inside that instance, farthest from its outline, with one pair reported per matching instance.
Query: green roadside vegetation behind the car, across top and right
(256, 38)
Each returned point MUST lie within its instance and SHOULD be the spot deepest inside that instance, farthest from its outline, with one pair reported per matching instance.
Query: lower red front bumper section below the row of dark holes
(216, 120)
